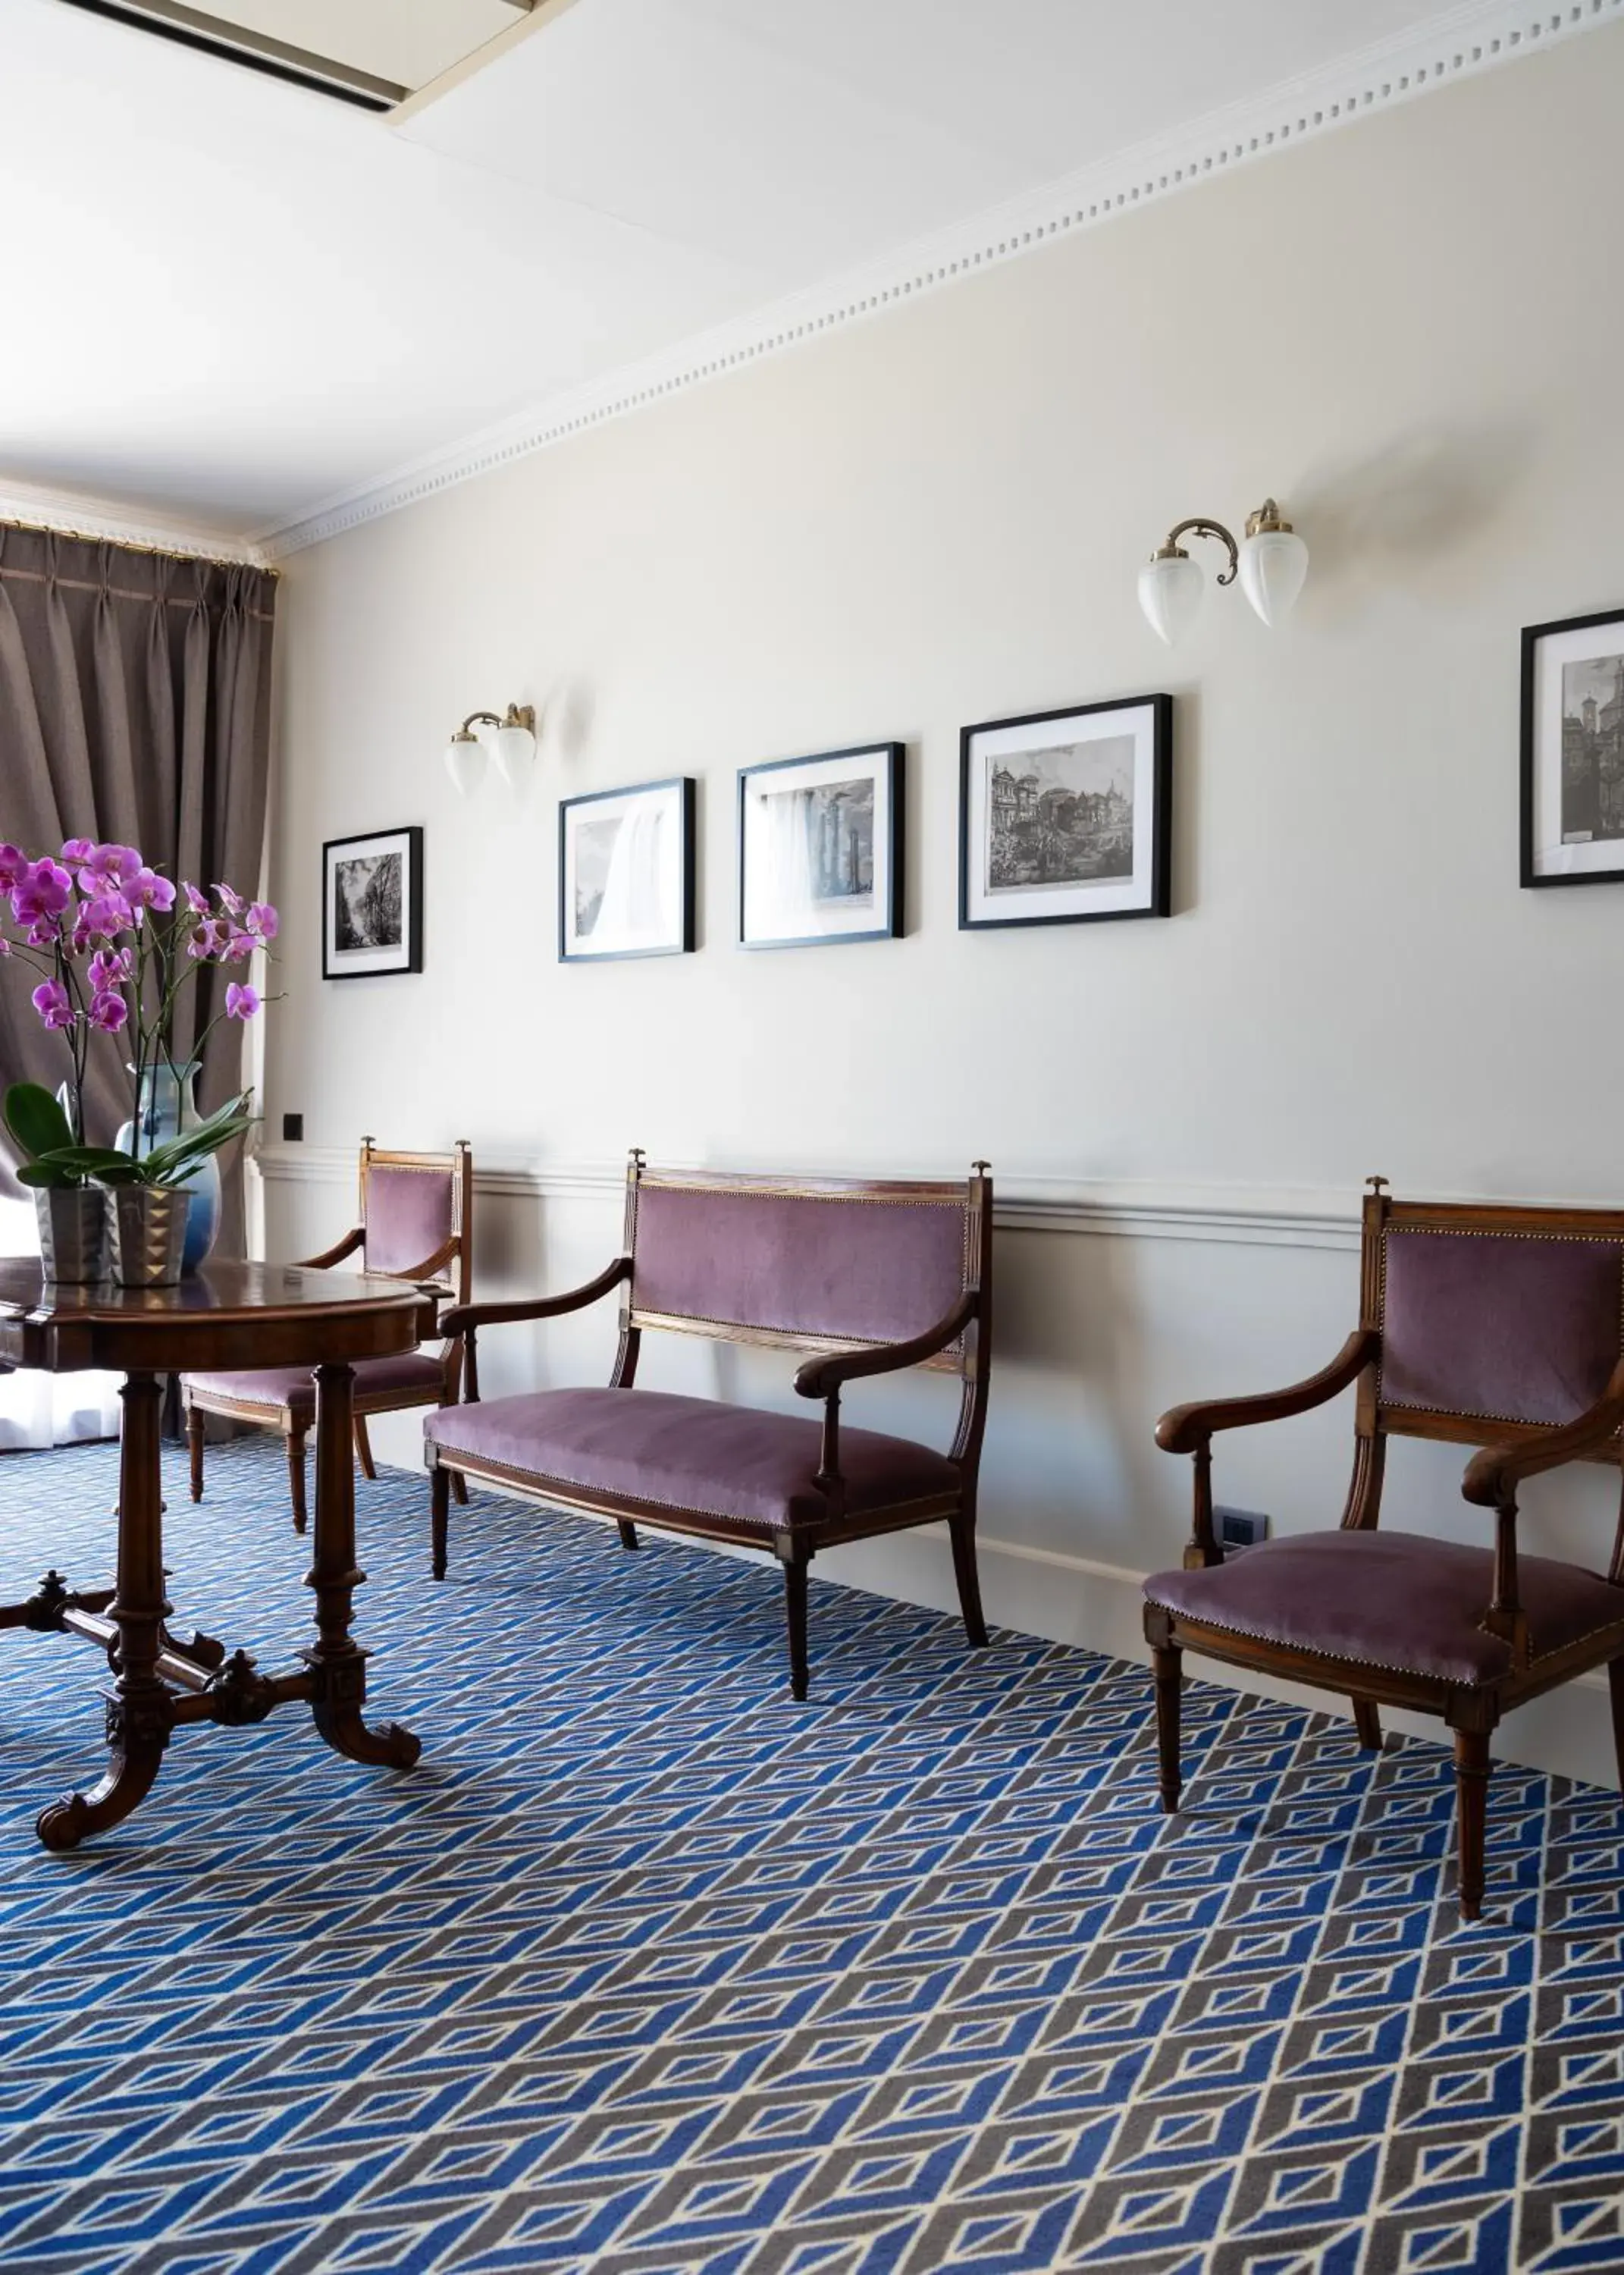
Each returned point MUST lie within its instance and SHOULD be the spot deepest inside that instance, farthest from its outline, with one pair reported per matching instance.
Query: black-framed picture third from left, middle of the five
(822, 850)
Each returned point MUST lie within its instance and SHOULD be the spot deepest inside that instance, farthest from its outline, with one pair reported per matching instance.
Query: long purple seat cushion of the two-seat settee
(686, 1455)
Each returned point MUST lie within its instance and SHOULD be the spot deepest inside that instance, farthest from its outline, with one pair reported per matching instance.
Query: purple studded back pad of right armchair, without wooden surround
(1500, 1325)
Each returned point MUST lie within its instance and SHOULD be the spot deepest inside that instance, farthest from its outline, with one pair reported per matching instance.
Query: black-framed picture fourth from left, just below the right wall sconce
(1066, 818)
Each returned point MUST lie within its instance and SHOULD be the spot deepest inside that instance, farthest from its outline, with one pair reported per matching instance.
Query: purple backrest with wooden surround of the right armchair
(1493, 1316)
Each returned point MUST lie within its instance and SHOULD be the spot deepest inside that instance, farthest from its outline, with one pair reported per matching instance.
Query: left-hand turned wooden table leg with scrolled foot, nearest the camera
(140, 1707)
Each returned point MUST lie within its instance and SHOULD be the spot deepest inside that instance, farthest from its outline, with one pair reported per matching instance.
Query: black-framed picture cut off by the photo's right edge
(1573, 752)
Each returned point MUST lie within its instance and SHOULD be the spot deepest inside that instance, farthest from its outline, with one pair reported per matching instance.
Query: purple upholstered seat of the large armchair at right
(1391, 1600)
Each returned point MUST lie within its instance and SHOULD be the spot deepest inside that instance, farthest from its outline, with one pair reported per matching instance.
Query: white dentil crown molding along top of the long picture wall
(1459, 44)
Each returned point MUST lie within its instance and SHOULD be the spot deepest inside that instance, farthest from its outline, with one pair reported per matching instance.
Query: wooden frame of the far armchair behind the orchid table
(449, 1271)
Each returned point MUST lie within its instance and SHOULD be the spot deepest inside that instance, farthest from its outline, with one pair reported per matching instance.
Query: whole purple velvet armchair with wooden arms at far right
(1493, 1327)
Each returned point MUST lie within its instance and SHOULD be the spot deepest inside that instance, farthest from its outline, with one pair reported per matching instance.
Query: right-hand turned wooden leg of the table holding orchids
(338, 1662)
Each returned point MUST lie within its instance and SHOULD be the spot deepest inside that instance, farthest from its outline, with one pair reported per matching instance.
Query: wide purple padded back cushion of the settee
(811, 1266)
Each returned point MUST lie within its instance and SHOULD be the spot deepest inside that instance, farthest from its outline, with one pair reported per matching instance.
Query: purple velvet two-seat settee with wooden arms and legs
(861, 1277)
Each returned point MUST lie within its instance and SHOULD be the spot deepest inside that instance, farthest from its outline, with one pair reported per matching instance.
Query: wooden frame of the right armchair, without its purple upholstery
(1511, 1453)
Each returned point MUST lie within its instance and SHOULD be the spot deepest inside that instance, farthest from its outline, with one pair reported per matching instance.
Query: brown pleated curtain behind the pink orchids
(135, 706)
